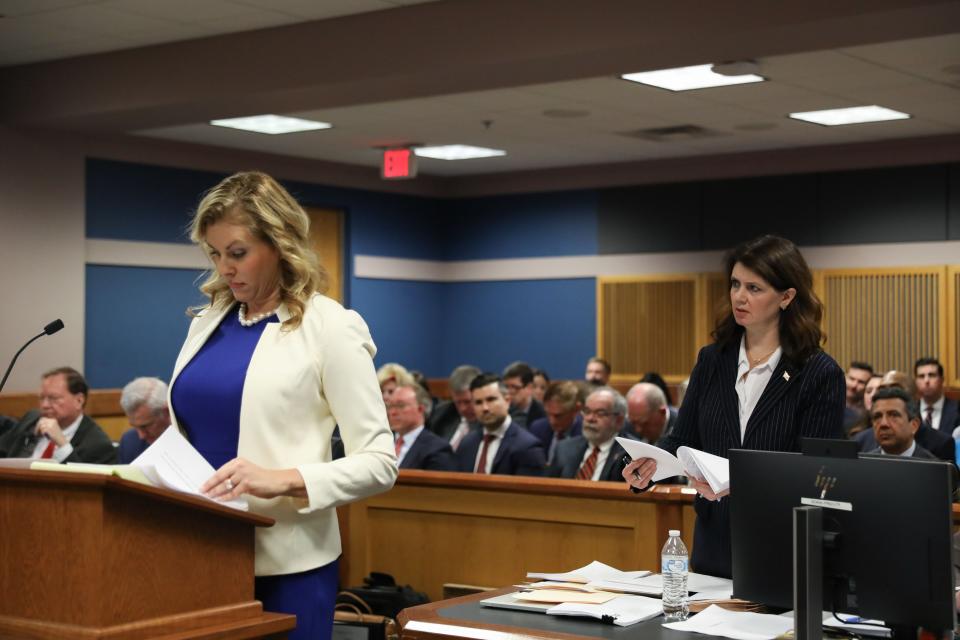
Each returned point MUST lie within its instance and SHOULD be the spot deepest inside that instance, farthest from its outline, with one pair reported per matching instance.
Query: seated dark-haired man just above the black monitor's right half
(896, 419)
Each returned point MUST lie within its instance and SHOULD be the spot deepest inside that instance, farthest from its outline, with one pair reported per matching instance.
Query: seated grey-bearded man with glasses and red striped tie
(594, 455)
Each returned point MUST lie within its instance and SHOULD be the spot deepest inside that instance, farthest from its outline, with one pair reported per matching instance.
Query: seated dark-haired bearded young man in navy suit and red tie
(501, 446)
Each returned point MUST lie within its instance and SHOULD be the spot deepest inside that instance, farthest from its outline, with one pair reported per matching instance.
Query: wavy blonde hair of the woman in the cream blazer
(258, 202)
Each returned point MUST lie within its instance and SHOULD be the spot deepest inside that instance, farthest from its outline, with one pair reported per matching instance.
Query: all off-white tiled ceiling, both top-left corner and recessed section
(919, 76)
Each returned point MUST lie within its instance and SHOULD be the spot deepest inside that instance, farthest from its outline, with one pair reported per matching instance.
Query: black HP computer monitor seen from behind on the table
(891, 558)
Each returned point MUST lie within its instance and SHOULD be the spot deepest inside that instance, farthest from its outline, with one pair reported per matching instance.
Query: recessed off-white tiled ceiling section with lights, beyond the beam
(913, 76)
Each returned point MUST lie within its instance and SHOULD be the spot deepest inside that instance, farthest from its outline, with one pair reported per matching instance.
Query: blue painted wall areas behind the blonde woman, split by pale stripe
(432, 327)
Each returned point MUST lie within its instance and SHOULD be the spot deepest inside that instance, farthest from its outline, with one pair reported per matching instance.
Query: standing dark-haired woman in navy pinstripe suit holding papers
(763, 384)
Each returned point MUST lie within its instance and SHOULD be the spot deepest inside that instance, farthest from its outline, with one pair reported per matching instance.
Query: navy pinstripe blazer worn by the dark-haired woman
(806, 402)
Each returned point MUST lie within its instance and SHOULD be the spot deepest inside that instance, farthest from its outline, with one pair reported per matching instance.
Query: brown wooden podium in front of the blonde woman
(92, 556)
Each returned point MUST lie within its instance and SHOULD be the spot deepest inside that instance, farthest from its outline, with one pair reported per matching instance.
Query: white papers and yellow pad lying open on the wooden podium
(170, 462)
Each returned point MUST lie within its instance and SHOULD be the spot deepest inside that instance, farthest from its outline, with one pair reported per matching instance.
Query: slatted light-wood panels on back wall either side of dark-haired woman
(888, 317)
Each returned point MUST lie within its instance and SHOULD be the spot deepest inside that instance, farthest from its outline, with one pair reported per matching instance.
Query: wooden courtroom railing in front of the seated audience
(436, 528)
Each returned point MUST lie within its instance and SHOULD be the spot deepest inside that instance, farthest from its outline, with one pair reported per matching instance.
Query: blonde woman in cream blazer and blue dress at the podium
(265, 374)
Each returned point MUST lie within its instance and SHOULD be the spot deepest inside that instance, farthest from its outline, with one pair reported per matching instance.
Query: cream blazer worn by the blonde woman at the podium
(299, 385)
